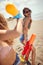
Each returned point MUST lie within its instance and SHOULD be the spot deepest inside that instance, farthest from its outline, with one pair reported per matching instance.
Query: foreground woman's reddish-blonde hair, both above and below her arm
(4, 26)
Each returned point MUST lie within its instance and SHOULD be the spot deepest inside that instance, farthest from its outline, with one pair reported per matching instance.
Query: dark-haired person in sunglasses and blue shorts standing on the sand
(26, 26)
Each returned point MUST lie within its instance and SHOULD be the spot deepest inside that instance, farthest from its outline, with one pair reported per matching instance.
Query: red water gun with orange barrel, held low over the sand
(27, 48)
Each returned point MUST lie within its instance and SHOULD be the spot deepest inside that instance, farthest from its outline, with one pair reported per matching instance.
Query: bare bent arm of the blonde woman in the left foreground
(8, 34)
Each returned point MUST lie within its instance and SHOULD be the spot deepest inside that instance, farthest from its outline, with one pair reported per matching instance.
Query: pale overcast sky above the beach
(35, 5)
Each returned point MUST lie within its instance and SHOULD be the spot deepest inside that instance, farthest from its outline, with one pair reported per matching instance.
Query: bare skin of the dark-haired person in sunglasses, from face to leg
(28, 20)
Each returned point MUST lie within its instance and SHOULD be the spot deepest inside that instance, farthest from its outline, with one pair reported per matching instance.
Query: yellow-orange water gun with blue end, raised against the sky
(12, 10)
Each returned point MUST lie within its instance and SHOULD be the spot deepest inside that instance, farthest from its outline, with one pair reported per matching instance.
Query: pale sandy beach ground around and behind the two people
(37, 28)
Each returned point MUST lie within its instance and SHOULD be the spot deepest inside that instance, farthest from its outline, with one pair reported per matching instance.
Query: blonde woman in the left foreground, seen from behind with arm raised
(7, 55)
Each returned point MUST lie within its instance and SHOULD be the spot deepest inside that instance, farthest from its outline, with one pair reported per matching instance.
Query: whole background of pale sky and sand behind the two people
(37, 24)
